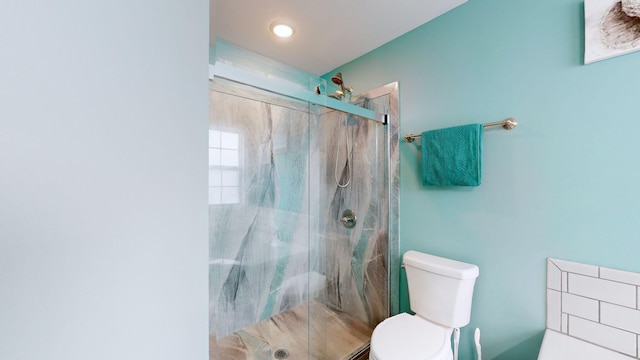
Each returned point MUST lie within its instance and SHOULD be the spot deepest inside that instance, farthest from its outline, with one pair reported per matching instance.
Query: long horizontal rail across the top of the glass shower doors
(288, 88)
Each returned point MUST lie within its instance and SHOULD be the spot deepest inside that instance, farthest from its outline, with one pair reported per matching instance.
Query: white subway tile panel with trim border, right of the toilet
(596, 304)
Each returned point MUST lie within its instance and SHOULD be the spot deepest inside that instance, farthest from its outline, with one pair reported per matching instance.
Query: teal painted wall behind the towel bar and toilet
(562, 184)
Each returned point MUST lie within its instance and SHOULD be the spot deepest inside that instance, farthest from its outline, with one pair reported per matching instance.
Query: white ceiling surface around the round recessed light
(328, 33)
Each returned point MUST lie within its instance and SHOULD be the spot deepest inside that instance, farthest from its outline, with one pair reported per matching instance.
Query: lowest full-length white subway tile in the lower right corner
(605, 336)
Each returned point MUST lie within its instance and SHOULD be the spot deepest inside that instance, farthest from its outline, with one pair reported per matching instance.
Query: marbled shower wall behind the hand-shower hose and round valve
(356, 258)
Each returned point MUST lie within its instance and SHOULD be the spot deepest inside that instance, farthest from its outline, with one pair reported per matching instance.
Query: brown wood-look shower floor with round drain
(309, 331)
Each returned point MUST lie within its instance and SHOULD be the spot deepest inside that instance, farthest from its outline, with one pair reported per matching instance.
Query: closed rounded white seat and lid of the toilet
(409, 337)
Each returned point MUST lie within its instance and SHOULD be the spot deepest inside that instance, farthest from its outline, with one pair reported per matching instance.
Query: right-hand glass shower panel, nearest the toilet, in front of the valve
(352, 213)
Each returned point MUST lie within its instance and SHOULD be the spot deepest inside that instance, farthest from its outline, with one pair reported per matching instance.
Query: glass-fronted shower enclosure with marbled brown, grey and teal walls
(303, 218)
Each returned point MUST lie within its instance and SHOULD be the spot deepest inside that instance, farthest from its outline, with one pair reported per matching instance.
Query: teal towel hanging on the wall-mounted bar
(452, 156)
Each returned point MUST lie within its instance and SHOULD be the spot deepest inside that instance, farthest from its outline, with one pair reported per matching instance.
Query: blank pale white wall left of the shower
(103, 171)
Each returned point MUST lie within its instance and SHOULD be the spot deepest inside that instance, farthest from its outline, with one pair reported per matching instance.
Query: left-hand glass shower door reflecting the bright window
(259, 224)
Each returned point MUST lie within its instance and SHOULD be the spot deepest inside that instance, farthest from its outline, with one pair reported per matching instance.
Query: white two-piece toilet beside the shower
(440, 293)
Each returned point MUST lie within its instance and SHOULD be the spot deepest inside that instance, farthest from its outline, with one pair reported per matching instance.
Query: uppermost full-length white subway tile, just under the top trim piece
(605, 290)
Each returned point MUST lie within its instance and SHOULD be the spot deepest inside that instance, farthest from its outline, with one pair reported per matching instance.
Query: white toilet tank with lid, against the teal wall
(440, 289)
